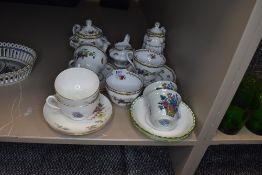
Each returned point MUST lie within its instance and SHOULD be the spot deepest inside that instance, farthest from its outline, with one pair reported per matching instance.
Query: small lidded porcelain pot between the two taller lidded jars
(122, 53)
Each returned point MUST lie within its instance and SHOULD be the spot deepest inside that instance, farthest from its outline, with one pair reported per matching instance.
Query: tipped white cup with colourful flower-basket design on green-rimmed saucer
(163, 104)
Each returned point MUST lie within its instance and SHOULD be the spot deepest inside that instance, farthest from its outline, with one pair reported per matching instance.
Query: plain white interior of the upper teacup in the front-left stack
(74, 83)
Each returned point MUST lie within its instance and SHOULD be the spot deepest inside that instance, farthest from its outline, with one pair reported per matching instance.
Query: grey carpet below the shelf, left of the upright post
(48, 159)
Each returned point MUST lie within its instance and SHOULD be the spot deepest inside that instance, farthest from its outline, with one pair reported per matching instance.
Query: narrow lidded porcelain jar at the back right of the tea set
(154, 39)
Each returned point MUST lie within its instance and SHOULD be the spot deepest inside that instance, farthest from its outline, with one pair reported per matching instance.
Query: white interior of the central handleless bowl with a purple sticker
(123, 81)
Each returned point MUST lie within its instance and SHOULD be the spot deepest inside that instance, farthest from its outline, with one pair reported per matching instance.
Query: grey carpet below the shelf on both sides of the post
(51, 159)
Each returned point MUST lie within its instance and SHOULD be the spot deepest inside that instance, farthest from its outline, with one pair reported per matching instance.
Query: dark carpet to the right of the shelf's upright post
(232, 160)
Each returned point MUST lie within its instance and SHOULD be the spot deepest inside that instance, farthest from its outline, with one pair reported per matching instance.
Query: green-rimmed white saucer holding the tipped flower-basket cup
(139, 112)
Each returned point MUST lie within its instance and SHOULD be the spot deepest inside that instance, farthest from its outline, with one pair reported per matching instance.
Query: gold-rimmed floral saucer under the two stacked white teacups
(65, 125)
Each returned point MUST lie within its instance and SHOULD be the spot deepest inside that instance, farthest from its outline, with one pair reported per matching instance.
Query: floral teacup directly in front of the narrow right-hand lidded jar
(148, 63)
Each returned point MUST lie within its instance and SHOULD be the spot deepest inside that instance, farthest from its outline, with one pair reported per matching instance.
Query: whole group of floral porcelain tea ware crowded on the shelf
(79, 108)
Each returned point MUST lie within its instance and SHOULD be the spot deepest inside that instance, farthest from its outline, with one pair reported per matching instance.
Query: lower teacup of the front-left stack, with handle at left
(73, 112)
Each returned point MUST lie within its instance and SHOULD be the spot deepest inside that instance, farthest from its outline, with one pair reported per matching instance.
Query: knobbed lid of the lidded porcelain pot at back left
(90, 31)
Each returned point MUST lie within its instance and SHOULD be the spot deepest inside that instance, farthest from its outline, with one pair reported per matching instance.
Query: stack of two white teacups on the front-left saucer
(75, 96)
